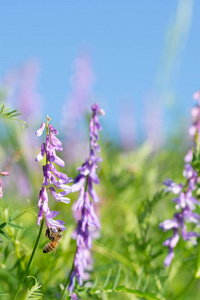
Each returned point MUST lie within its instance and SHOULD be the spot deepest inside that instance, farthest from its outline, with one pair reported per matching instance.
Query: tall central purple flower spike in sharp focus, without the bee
(87, 221)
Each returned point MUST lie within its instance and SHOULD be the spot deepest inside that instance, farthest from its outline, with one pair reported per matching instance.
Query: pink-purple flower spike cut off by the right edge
(185, 201)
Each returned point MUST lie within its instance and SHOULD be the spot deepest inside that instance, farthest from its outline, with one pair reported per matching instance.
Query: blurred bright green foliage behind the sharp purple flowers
(128, 255)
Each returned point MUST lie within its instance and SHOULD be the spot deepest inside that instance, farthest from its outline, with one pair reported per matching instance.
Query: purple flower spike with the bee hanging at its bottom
(51, 145)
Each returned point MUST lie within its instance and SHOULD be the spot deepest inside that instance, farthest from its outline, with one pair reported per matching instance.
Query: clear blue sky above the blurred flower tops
(140, 51)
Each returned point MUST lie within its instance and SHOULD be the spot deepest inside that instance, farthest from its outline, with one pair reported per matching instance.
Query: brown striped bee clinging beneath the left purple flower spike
(55, 237)
